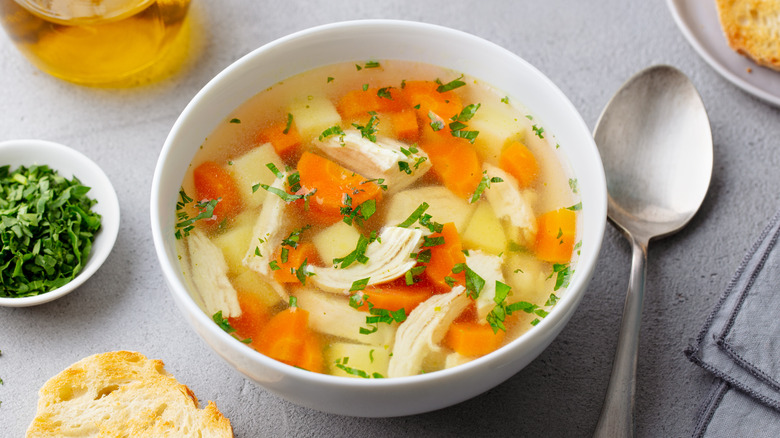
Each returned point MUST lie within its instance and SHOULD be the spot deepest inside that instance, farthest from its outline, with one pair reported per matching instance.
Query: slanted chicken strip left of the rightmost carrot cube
(511, 204)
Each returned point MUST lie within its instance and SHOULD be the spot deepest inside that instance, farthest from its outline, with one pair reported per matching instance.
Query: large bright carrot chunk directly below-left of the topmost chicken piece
(333, 185)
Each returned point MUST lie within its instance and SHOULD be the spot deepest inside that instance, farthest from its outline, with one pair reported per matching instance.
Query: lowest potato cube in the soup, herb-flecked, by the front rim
(367, 358)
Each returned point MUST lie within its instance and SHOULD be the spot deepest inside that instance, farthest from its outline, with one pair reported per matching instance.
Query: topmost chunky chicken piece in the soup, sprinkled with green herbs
(379, 159)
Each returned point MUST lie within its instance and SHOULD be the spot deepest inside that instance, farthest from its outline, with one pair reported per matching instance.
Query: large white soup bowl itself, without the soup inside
(358, 41)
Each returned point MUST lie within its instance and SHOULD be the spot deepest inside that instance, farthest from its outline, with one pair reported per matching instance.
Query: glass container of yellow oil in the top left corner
(98, 42)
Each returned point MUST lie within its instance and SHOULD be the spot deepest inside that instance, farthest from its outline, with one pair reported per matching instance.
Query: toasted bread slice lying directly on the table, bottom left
(122, 394)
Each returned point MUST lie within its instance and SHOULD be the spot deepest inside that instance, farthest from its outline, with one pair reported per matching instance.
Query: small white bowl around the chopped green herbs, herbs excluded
(68, 163)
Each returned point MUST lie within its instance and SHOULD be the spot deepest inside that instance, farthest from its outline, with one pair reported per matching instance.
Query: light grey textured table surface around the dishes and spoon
(588, 48)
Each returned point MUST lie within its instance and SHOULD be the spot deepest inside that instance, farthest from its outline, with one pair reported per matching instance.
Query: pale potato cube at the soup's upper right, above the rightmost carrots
(496, 125)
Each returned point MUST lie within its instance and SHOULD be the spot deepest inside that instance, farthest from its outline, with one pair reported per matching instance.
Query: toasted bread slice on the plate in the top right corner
(752, 28)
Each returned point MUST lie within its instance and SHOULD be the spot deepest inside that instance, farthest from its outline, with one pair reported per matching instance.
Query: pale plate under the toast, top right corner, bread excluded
(698, 21)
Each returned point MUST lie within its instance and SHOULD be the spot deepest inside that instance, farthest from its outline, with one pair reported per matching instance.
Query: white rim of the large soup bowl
(500, 357)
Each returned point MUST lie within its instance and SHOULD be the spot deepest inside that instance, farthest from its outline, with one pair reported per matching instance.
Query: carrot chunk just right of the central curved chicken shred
(444, 259)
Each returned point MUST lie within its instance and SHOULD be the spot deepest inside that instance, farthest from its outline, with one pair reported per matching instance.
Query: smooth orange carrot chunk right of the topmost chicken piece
(456, 164)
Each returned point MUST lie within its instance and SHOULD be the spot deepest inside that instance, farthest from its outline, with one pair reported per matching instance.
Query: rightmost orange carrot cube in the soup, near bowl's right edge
(555, 235)
